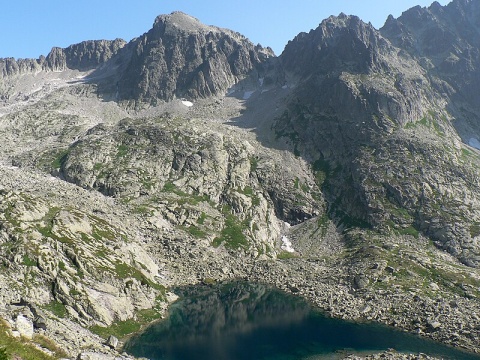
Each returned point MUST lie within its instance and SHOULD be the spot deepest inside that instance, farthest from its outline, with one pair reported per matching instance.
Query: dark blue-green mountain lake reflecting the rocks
(238, 321)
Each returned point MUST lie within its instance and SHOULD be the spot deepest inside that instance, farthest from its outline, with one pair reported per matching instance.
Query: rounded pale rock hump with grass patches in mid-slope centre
(204, 171)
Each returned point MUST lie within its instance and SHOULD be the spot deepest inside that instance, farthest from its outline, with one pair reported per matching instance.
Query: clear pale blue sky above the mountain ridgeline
(30, 28)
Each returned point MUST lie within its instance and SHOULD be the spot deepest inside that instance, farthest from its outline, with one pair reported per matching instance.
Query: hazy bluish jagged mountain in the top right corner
(445, 40)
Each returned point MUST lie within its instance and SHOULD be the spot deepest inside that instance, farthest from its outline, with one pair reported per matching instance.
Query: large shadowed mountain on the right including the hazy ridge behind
(360, 98)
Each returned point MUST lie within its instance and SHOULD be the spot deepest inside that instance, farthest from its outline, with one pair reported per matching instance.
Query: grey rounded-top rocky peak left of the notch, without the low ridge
(181, 57)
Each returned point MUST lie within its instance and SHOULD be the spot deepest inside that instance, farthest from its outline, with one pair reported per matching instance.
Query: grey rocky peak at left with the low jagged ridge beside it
(178, 57)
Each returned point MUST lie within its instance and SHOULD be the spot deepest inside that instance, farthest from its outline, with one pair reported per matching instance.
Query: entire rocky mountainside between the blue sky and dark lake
(338, 171)
